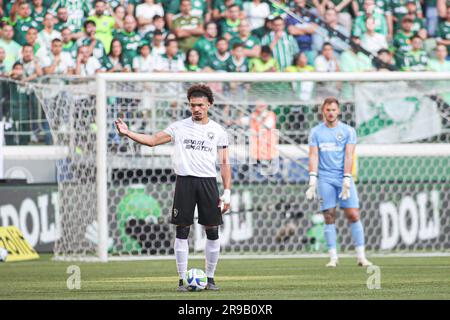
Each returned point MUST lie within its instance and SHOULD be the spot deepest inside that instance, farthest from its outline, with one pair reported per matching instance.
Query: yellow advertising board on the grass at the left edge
(18, 247)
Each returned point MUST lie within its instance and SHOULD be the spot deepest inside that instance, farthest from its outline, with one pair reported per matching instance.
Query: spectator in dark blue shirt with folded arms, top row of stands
(302, 31)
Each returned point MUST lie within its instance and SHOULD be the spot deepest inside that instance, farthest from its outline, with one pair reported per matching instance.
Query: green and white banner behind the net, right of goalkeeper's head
(394, 112)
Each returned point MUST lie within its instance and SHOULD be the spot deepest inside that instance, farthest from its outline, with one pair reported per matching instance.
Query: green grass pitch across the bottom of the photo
(401, 278)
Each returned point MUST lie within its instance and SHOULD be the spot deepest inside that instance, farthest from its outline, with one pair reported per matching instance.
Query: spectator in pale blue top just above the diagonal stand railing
(331, 18)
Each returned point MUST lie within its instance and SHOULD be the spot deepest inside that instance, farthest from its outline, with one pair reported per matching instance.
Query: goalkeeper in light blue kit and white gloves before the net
(331, 147)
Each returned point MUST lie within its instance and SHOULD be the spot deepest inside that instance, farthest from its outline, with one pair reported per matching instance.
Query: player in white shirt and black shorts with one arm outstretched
(199, 141)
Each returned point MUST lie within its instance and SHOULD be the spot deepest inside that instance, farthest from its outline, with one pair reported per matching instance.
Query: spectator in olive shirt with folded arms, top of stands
(186, 27)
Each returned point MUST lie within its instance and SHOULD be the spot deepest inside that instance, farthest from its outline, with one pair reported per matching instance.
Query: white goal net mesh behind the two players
(402, 167)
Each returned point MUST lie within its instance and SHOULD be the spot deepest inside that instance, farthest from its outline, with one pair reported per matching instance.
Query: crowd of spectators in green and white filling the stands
(82, 37)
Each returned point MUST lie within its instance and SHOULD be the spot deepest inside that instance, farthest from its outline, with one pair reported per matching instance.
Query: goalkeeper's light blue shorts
(329, 190)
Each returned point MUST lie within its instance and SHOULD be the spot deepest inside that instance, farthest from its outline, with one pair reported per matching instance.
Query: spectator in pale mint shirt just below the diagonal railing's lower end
(353, 60)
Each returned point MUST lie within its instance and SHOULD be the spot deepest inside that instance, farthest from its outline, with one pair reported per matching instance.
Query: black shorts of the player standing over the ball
(191, 191)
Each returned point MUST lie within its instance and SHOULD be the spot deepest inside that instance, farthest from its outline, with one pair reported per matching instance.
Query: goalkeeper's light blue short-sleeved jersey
(331, 143)
